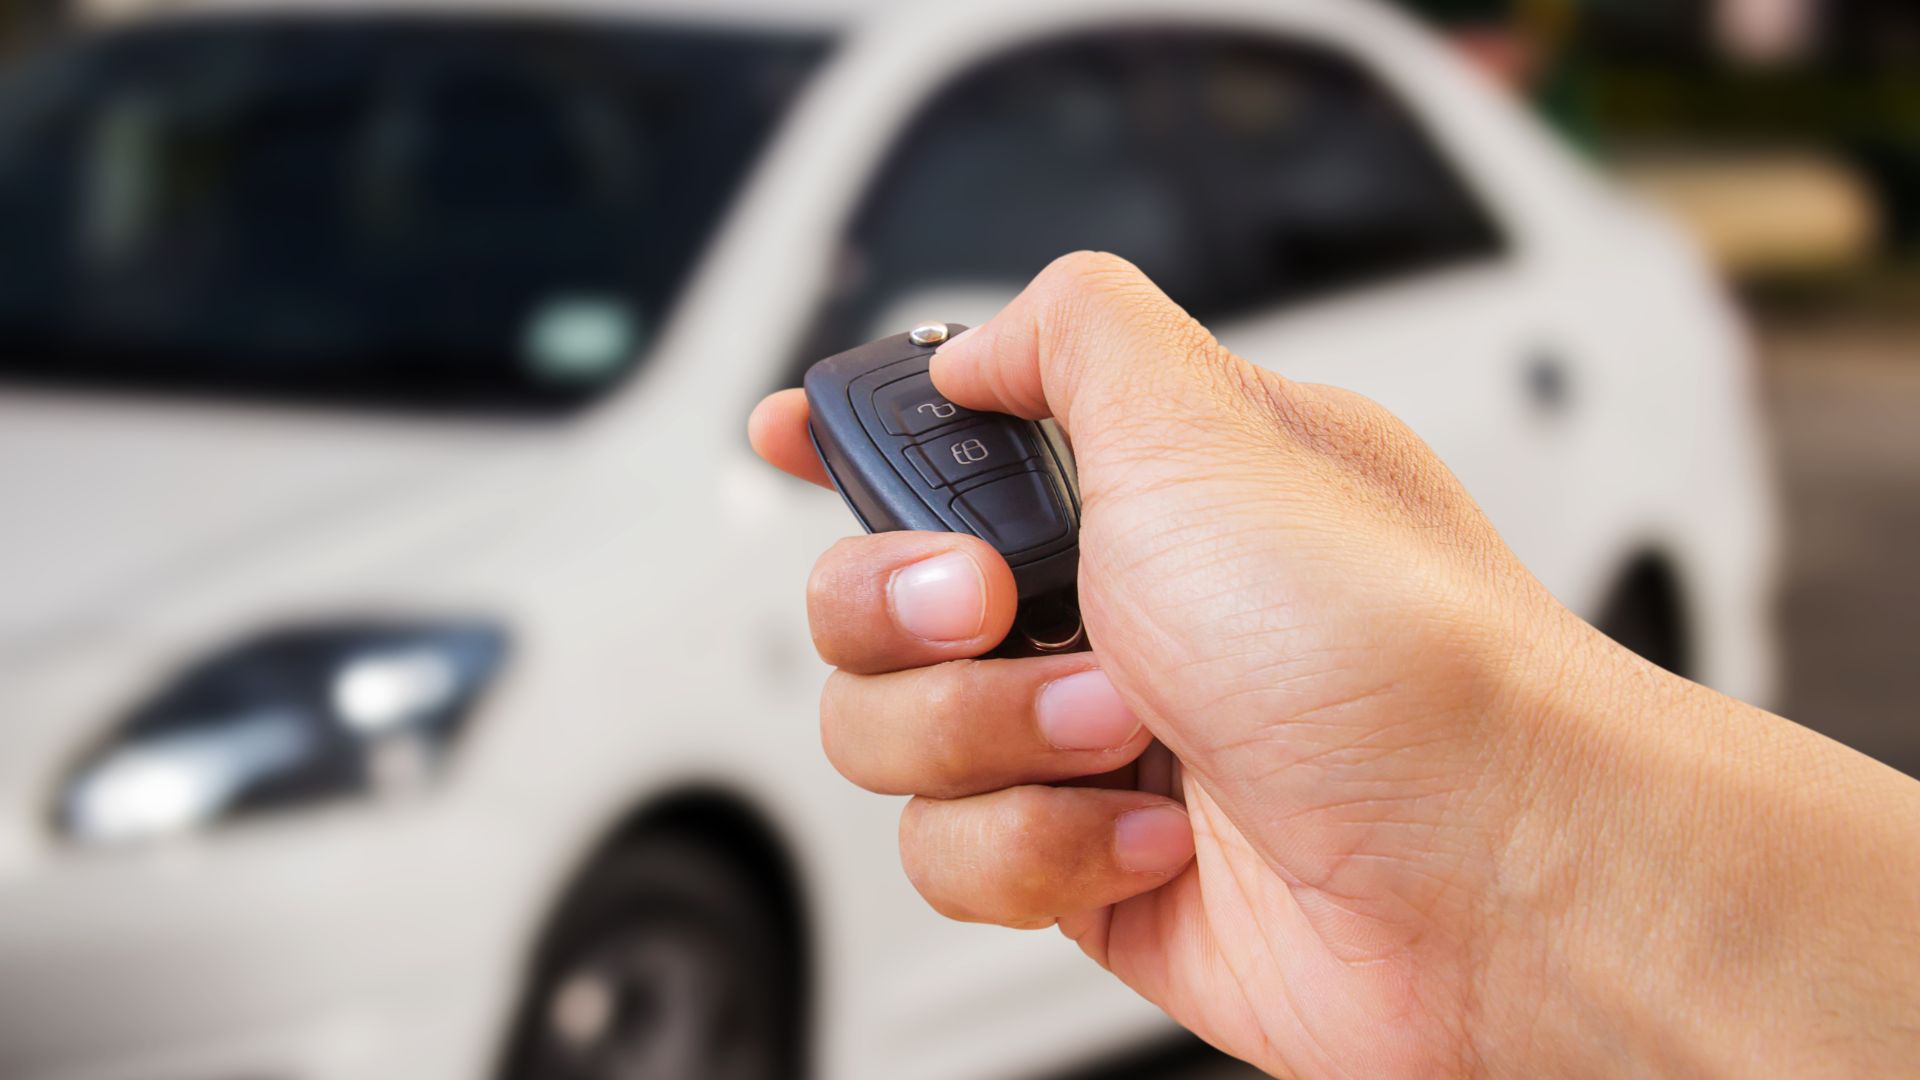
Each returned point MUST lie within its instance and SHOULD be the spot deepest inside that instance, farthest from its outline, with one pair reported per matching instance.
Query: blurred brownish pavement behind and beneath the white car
(1844, 408)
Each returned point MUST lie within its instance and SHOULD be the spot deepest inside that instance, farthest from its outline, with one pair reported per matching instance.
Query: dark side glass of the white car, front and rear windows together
(1239, 174)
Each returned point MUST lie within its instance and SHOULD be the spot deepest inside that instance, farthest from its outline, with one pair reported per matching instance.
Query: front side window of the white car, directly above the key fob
(1038, 153)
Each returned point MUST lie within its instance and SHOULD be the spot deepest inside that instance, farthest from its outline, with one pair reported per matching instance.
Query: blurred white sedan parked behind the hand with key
(402, 656)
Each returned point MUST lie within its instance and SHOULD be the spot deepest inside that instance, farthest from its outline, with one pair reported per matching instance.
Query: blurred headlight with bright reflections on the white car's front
(287, 718)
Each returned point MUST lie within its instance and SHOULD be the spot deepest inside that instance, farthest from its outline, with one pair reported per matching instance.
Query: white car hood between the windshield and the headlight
(110, 506)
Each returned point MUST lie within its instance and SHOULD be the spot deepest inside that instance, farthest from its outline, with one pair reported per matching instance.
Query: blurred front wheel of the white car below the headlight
(665, 964)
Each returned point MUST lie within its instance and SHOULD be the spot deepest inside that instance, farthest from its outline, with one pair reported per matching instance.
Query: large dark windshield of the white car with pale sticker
(421, 212)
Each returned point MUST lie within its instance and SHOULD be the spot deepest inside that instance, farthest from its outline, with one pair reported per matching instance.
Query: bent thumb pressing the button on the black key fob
(1092, 343)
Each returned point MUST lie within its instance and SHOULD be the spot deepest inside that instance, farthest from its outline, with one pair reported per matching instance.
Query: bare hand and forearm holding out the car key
(1376, 804)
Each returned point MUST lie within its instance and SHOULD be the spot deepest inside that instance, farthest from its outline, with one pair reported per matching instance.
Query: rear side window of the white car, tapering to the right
(1318, 180)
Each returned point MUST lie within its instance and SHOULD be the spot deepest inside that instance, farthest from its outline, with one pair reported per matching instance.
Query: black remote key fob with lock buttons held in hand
(907, 458)
